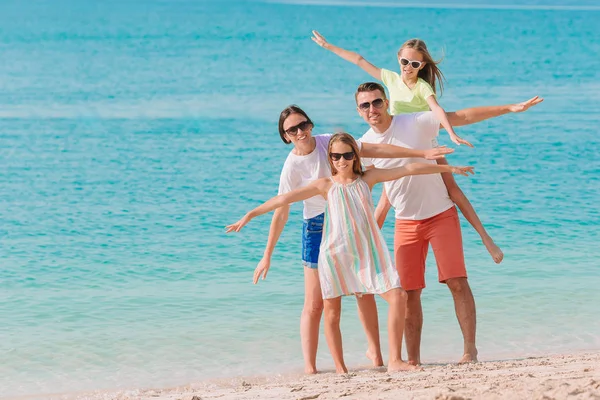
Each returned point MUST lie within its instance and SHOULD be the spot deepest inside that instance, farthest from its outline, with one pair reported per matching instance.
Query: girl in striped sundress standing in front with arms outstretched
(354, 258)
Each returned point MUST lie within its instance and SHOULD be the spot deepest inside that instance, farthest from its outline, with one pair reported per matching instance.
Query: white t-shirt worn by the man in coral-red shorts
(414, 197)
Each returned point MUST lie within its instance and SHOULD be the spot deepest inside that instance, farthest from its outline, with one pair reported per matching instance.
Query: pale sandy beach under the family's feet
(556, 377)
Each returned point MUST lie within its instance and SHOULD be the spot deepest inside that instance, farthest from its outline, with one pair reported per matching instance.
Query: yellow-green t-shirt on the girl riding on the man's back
(404, 100)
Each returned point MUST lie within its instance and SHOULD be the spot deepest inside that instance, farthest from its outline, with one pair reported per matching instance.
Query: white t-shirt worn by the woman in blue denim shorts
(299, 171)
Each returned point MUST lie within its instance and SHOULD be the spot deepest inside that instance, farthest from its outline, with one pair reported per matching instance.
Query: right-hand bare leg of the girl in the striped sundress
(396, 298)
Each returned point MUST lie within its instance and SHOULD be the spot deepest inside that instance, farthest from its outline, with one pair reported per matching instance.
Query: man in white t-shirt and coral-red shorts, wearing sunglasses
(425, 212)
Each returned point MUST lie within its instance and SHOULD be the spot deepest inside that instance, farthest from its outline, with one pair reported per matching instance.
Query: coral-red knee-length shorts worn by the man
(411, 243)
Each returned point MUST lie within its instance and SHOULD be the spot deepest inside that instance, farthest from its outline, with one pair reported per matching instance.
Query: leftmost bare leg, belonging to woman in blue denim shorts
(310, 319)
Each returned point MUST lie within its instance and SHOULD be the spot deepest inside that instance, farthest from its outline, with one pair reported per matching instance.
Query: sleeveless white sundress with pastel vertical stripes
(353, 256)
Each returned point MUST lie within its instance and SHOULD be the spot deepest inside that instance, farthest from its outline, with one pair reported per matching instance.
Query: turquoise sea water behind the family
(132, 132)
